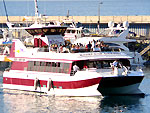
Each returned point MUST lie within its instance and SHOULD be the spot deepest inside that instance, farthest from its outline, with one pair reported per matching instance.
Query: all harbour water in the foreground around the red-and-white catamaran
(12, 101)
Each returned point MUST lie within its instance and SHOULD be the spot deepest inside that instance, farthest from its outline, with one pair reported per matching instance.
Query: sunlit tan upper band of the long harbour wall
(82, 19)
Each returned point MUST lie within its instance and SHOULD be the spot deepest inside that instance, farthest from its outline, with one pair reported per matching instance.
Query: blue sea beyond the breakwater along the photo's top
(76, 7)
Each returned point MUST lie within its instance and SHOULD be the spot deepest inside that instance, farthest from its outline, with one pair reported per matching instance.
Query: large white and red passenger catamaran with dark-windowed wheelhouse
(40, 69)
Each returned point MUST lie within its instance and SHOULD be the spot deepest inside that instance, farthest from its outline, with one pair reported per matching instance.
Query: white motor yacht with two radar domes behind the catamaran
(116, 38)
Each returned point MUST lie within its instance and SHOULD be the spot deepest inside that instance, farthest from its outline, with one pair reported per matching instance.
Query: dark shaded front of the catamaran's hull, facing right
(121, 85)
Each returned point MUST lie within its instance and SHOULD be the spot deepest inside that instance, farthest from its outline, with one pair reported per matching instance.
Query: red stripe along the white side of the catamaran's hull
(58, 84)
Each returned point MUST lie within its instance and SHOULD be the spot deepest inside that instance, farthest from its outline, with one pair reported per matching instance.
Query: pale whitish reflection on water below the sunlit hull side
(34, 103)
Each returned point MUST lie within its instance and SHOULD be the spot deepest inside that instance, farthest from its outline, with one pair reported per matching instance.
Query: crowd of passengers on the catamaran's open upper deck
(95, 46)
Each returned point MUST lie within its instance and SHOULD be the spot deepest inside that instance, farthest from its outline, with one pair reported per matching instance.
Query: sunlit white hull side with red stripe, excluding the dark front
(59, 86)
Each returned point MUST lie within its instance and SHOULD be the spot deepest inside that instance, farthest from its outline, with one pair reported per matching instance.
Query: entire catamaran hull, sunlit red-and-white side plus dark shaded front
(72, 85)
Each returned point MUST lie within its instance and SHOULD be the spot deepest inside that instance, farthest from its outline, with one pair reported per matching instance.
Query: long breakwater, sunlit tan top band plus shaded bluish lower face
(138, 24)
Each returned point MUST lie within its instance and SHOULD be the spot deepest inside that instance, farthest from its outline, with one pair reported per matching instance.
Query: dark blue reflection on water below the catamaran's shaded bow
(121, 104)
